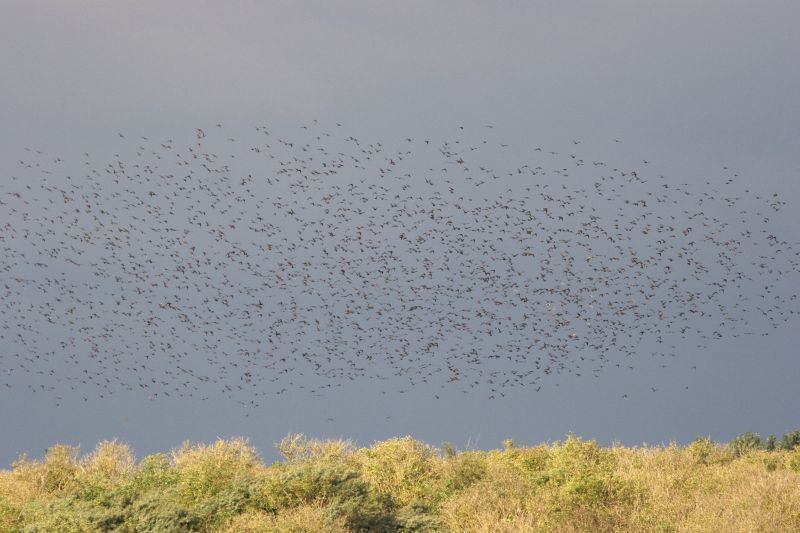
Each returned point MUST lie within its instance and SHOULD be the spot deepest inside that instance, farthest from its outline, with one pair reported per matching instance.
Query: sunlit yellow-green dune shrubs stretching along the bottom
(403, 484)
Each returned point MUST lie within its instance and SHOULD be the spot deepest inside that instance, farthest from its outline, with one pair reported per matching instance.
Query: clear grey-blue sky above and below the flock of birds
(689, 86)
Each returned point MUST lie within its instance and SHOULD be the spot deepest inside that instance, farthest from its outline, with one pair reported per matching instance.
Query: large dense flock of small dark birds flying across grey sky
(261, 264)
